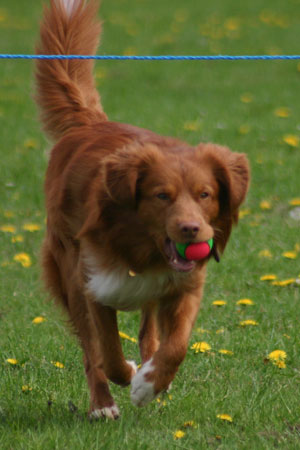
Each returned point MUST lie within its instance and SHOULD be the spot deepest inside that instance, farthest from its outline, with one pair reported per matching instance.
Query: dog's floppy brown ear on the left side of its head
(123, 171)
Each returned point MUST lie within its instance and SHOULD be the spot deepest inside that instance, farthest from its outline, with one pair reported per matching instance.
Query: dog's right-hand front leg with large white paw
(175, 321)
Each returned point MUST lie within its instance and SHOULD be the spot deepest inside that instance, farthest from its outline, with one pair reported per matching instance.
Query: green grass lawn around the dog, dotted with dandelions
(196, 101)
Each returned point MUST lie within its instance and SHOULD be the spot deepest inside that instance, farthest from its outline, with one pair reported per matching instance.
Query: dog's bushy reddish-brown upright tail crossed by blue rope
(66, 92)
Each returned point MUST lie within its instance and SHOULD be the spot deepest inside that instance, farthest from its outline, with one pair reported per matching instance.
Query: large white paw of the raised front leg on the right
(142, 391)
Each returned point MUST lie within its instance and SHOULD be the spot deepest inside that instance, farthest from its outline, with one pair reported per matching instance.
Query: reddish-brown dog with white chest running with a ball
(118, 199)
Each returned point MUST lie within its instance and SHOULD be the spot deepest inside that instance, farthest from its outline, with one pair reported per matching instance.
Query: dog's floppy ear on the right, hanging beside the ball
(233, 175)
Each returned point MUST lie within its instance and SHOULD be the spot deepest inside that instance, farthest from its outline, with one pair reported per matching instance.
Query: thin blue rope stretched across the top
(157, 58)
